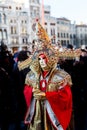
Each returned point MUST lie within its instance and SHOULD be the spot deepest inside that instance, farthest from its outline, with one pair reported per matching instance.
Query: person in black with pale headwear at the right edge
(79, 90)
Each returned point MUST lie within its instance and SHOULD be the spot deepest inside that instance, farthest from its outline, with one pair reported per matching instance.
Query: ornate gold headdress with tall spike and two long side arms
(48, 49)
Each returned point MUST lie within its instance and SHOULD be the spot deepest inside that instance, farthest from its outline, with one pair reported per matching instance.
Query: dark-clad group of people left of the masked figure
(12, 101)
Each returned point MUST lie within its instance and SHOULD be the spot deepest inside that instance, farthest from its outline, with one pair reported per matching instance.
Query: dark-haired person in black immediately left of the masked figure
(19, 80)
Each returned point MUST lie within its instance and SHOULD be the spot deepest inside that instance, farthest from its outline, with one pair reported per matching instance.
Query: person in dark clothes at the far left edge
(7, 94)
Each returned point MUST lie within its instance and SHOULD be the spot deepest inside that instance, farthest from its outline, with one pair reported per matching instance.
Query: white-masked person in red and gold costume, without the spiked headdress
(47, 93)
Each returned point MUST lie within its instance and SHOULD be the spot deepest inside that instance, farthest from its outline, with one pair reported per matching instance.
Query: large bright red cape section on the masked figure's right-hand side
(61, 103)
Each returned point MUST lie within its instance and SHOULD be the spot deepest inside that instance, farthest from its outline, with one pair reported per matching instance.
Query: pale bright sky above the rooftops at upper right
(74, 10)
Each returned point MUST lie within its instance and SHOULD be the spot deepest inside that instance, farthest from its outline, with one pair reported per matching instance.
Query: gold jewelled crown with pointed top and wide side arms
(45, 46)
